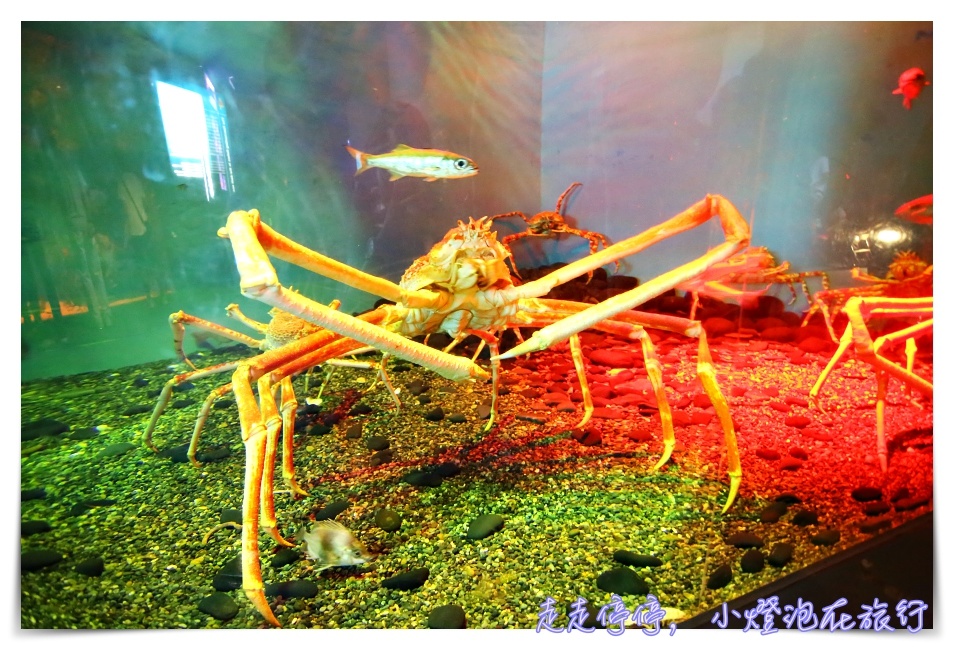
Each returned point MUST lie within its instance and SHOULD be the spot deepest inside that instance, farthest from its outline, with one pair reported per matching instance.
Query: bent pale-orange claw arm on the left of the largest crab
(251, 239)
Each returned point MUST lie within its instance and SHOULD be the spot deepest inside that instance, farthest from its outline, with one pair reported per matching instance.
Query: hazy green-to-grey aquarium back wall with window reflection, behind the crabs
(139, 139)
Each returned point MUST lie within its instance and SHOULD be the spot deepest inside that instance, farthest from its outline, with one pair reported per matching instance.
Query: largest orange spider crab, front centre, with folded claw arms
(461, 287)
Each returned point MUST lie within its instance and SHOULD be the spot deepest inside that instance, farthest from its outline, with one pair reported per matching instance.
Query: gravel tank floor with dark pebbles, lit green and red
(469, 528)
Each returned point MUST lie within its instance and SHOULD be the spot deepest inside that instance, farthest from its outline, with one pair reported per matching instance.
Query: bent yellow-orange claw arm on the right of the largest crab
(737, 237)
